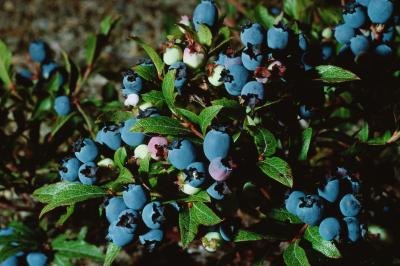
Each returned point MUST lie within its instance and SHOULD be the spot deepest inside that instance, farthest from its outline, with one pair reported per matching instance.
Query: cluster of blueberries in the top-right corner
(368, 26)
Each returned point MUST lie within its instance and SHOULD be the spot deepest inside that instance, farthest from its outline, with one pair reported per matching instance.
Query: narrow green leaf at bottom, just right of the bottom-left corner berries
(77, 249)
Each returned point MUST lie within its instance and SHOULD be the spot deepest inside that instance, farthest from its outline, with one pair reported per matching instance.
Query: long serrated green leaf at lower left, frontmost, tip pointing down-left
(73, 194)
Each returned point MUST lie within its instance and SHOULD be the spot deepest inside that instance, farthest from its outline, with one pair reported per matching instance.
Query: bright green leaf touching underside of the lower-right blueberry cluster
(327, 248)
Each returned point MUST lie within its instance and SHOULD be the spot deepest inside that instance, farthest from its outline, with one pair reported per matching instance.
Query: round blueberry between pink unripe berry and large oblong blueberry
(181, 153)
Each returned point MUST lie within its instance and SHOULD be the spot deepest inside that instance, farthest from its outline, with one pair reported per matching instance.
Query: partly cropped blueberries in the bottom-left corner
(32, 258)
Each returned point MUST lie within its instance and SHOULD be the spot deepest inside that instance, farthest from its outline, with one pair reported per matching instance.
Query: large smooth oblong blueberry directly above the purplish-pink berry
(216, 144)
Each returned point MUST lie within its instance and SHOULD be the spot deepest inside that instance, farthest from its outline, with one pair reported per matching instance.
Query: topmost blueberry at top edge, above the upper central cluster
(205, 13)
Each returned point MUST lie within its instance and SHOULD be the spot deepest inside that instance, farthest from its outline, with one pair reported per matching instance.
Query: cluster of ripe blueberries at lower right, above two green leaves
(335, 209)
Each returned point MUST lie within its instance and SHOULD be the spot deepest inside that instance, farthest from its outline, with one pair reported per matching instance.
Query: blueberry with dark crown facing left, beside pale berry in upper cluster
(235, 77)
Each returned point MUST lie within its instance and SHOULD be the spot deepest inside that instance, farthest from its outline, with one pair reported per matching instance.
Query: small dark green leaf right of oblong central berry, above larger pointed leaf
(265, 141)
